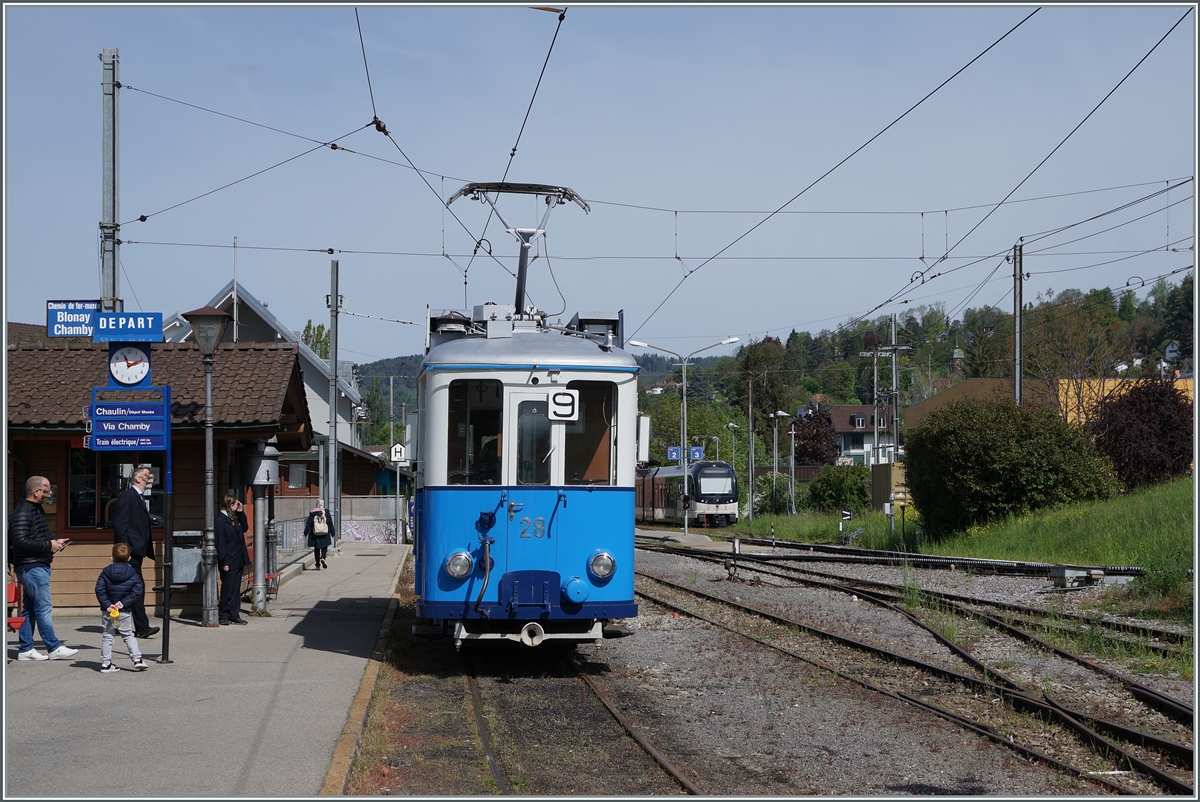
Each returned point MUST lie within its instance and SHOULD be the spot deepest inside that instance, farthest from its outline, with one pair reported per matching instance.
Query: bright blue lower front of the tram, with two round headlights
(544, 541)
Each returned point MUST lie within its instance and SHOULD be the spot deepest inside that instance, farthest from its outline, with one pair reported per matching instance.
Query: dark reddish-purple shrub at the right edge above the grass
(1147, 433)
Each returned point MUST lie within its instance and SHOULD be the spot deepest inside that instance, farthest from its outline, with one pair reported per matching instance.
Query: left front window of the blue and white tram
(473, 439)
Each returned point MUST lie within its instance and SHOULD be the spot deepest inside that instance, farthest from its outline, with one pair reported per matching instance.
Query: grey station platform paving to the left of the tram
(241, 711)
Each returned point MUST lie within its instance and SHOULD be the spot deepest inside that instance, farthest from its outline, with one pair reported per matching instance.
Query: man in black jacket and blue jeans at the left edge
(31, 550)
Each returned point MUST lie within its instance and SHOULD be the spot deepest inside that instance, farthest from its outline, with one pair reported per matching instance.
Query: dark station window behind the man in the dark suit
(98, 478)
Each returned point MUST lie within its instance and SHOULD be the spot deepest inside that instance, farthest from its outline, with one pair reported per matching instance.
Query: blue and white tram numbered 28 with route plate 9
(526, 460)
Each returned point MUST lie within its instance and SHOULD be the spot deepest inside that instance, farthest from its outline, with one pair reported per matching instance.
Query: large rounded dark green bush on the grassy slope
(976, 462)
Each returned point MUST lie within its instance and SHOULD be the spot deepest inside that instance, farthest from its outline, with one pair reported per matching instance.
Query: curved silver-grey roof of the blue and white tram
(529, 350)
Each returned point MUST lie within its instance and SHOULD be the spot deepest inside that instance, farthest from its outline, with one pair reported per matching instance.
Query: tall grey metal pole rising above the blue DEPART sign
(111, 206)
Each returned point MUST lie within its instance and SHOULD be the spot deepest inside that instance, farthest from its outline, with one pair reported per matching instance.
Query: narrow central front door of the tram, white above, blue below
(535, 468)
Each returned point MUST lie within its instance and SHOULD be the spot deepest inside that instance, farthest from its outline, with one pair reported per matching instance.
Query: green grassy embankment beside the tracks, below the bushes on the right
(1151, 529)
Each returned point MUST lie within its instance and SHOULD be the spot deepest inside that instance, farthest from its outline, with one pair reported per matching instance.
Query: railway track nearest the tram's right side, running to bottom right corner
(969, 696)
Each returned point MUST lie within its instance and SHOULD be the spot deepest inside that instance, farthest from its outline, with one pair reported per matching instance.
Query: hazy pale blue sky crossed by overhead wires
(683, 128)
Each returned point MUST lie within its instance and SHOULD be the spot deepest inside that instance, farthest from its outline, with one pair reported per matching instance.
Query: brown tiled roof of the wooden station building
(254, 385)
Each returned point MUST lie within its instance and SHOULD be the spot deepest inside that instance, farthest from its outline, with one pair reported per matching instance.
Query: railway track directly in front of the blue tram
(566, 720)
